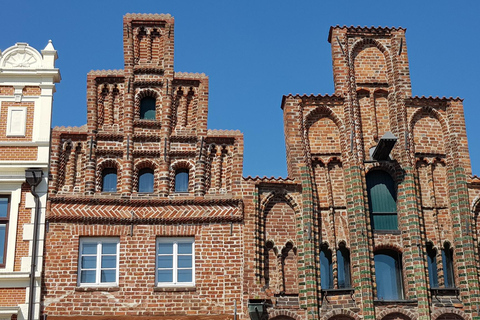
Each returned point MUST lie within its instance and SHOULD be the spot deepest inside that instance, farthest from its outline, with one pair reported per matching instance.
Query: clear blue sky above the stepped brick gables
(254, 53)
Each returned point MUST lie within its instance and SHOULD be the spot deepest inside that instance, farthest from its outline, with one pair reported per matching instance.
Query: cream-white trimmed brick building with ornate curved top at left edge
(27, 84)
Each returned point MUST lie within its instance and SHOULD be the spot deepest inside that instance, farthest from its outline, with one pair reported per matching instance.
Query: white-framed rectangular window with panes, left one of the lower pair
(98, 262)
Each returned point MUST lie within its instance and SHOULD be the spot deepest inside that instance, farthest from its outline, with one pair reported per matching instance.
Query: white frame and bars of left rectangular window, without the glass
(99, 242)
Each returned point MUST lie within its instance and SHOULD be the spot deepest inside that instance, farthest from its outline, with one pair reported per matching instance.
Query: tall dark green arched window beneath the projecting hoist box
(382, 200)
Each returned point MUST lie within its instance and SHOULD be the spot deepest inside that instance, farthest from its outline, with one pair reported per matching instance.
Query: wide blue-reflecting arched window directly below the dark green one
(388, 272)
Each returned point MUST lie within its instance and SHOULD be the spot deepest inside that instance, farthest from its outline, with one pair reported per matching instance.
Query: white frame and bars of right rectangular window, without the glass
(175, 242)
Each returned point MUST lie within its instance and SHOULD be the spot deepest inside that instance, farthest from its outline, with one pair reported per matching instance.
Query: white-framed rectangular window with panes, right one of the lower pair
(175, 265)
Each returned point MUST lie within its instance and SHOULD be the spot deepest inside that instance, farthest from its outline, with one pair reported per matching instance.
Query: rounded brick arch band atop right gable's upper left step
(317, 114)
